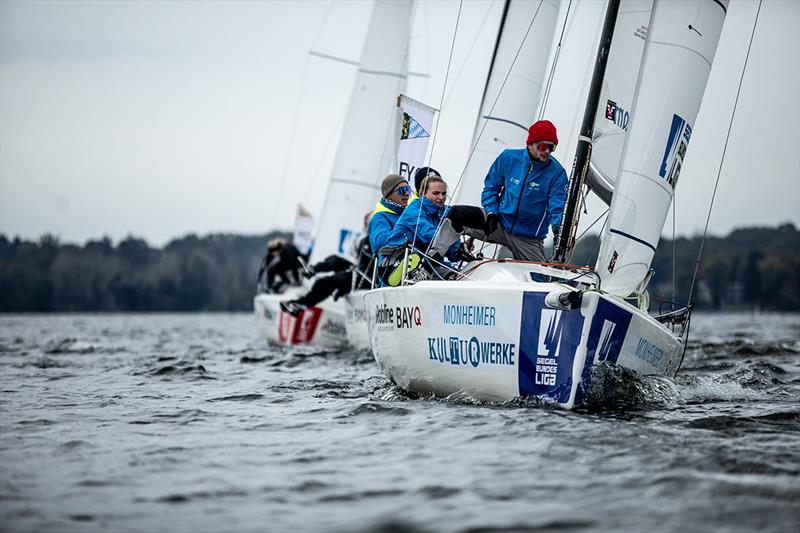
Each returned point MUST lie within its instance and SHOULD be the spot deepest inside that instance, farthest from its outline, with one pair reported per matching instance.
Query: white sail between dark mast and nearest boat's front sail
(616, 100)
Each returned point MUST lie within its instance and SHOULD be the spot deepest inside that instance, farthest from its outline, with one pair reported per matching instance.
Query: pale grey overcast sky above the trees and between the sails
(158, 119)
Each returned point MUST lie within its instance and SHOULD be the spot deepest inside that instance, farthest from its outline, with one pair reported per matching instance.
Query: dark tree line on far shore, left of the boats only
(212, 273)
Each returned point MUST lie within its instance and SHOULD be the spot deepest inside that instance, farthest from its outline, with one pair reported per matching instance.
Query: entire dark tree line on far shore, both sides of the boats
(750, 268)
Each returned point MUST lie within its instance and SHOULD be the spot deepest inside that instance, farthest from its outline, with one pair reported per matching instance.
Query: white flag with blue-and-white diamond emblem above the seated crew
(415, 124)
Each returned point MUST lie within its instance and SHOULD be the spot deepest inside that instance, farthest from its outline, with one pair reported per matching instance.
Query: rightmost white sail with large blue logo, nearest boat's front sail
(679, 51)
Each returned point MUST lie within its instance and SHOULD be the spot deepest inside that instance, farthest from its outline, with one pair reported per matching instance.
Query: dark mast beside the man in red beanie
(583, 153)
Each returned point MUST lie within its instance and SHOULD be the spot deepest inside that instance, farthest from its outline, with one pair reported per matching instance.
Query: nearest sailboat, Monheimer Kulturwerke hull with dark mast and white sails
(509, 329)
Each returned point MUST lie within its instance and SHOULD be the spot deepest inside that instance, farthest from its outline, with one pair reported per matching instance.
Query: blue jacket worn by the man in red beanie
(528, 195)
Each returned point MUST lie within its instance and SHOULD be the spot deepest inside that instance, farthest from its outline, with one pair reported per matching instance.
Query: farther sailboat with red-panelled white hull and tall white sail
(364, 154)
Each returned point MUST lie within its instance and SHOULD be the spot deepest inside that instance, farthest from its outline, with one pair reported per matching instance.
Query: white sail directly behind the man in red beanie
(504, 121)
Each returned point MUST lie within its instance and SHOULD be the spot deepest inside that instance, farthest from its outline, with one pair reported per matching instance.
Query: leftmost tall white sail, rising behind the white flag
(367, 145)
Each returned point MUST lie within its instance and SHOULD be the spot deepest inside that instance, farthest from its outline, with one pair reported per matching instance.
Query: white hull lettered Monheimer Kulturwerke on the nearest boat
(496, 339)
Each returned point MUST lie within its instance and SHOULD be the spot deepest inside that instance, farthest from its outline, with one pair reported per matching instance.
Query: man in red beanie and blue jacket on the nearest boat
(523, 194)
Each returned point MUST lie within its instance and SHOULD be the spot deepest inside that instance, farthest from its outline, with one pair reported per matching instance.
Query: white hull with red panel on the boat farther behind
(322, 326)
